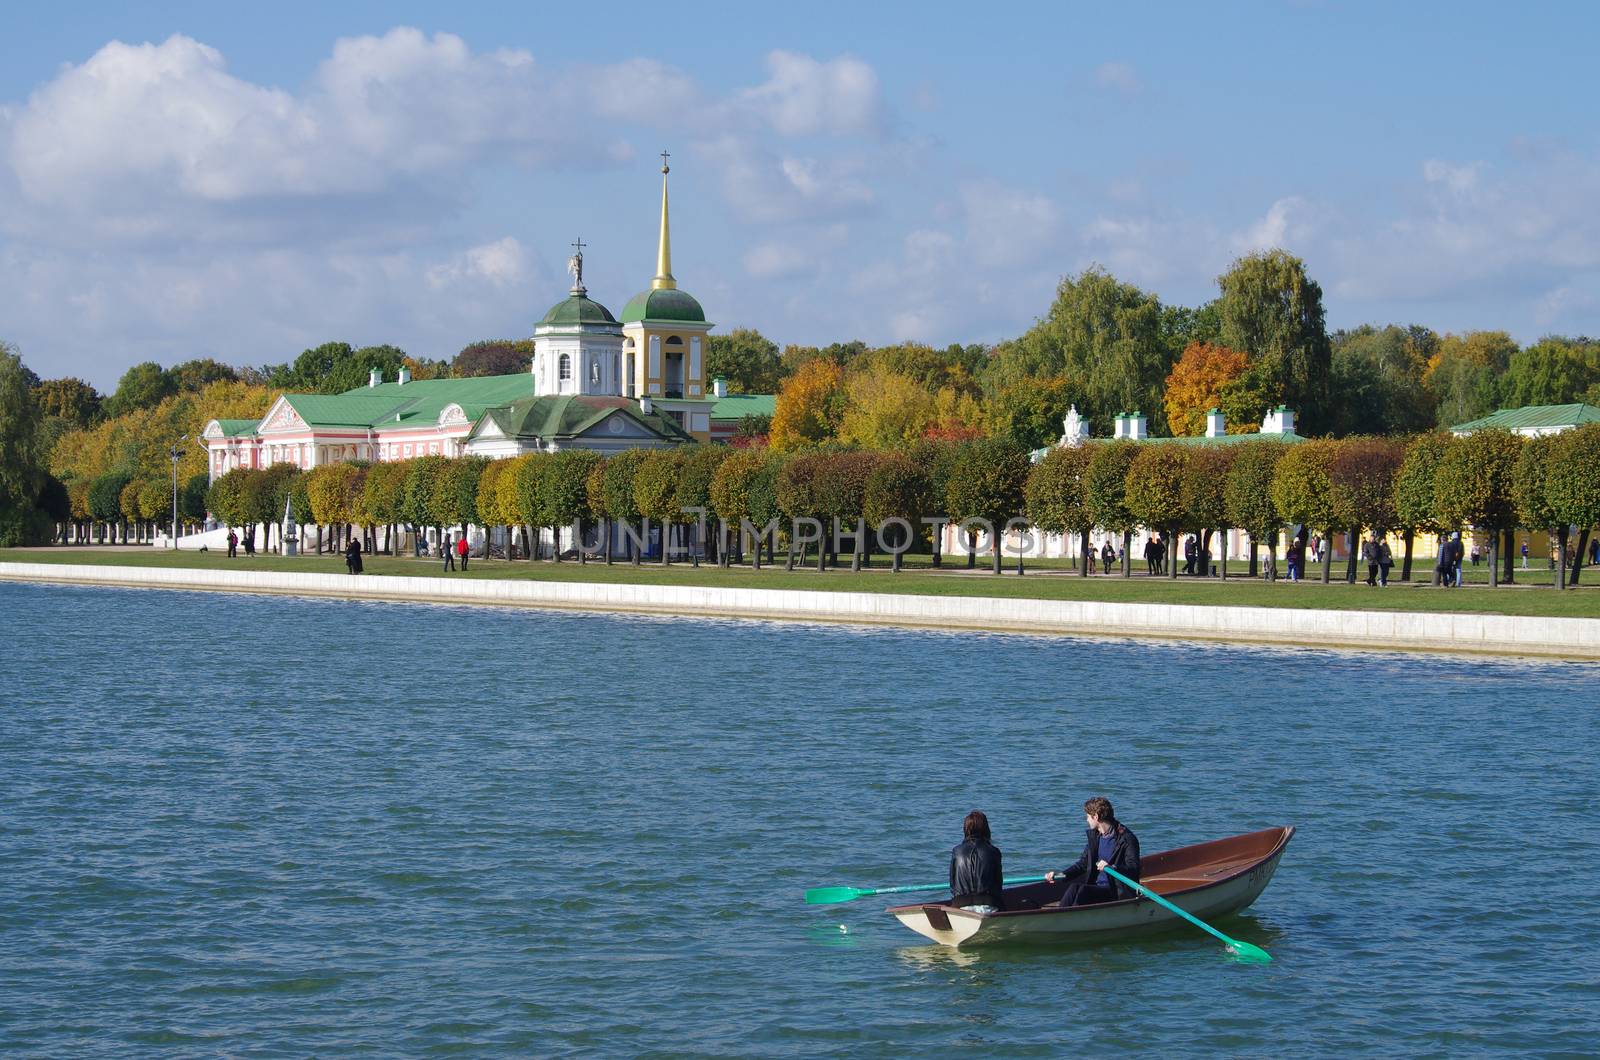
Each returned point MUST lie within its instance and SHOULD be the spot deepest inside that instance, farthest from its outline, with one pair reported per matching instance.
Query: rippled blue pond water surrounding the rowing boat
(263, 825)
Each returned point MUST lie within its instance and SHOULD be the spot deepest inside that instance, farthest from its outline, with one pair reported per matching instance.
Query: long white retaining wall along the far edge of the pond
(1494, 635)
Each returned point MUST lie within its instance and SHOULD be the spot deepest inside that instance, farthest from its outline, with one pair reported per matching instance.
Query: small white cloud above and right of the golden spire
(807, 98)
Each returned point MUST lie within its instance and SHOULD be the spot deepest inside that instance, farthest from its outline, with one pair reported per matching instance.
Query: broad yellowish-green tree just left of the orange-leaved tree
(1100, 332)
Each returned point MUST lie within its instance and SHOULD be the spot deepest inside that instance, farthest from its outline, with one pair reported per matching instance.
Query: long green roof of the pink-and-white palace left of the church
(410, 404)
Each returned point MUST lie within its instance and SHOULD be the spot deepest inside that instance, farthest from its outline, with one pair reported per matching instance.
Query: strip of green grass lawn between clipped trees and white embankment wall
(1050, 582)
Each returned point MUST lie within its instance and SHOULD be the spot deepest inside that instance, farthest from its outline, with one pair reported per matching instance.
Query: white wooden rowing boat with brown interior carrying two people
(1207, 880)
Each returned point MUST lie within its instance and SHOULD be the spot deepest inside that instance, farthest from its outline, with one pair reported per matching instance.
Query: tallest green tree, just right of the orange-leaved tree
(1273, 311)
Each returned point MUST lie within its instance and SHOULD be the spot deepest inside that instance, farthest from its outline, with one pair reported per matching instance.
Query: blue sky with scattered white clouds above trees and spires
(199, 180)
